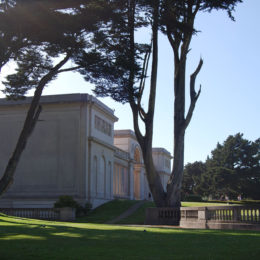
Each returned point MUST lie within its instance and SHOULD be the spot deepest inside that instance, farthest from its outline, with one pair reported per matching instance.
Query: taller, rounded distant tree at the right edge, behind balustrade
(241, 160)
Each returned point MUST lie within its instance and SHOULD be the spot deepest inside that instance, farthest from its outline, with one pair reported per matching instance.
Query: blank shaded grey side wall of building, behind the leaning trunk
(51, 164)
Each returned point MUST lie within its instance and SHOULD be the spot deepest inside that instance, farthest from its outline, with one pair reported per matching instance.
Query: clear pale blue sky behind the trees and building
(229, 101)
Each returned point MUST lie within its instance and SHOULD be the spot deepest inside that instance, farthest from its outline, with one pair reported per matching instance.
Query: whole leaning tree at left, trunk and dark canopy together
(41, 41)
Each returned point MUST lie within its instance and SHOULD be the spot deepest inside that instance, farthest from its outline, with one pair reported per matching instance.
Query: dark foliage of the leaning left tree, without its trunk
(35, 41)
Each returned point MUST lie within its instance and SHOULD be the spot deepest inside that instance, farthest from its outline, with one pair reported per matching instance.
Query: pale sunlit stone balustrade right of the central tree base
(221, 217)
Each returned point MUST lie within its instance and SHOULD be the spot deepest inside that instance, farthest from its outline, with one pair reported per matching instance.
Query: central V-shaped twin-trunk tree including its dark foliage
(126, 84)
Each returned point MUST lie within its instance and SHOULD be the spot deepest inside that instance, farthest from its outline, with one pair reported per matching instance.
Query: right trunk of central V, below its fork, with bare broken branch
(180, 124)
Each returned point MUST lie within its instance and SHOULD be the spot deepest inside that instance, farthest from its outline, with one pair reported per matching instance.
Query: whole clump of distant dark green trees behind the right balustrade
(233, 169)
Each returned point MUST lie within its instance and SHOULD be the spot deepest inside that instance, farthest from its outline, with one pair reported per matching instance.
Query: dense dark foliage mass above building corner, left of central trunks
(118, 59)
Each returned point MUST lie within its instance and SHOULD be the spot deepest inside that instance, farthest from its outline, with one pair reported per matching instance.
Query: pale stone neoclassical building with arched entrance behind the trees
(74, 150)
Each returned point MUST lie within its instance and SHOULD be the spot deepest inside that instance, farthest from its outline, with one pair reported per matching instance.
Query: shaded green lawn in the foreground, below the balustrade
(34, 239)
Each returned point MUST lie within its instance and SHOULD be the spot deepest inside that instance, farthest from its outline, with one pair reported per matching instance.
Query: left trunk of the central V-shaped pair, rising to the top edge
(145, 141)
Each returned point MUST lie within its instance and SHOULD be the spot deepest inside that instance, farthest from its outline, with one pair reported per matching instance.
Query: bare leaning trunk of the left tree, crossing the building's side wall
(29, 124)
